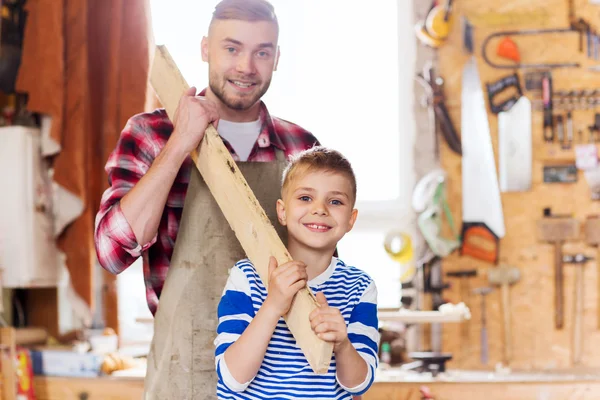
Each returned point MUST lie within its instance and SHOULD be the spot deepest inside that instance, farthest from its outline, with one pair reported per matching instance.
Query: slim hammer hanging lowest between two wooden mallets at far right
(579, 261)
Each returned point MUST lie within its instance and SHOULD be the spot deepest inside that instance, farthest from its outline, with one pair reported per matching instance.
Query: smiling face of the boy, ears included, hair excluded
(317, 208)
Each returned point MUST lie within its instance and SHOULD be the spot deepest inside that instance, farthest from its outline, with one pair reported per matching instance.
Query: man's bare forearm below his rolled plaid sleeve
(144, 204)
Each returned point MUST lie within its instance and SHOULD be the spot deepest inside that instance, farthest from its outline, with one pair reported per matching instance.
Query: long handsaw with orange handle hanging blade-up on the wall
(483, 219)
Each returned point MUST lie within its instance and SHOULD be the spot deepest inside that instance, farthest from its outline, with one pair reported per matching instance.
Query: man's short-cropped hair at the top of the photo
(245, 10)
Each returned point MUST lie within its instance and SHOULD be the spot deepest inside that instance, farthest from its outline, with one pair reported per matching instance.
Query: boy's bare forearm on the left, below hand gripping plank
(245, 356)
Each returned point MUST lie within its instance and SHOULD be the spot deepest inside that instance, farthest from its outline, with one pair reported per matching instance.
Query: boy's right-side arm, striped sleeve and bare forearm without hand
(356, 359)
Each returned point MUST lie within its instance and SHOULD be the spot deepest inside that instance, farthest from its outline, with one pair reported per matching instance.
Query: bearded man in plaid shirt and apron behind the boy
(151, 176)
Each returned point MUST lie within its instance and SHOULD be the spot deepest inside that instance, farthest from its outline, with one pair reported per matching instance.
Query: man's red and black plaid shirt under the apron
(141, 141)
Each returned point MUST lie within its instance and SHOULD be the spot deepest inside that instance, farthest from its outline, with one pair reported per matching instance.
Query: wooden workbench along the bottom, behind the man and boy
(391, 385)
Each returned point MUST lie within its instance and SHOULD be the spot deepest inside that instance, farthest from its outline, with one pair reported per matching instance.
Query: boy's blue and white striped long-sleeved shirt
(285, 372)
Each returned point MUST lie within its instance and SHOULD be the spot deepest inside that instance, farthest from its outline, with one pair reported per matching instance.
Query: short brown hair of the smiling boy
(319, 158)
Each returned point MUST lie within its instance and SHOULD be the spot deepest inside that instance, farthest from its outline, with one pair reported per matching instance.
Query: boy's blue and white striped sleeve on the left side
(235, 313)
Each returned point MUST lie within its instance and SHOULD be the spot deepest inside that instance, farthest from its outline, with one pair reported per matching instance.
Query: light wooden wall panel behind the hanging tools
(536, 342)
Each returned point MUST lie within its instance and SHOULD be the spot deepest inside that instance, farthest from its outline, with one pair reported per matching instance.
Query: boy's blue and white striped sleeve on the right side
(364, 335)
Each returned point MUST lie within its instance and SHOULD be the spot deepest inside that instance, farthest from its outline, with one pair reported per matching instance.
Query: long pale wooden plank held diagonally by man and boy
(242, 210)
